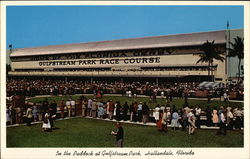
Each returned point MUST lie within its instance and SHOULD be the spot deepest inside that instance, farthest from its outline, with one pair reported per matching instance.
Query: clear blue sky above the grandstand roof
(31, 26)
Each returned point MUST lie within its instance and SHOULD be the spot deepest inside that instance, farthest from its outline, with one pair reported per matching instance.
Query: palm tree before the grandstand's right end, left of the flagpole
(210, 52)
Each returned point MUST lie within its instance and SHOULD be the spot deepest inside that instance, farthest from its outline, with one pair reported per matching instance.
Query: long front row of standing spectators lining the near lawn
(188, 117)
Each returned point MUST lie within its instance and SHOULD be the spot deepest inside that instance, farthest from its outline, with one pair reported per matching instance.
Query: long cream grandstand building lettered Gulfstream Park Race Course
(157, 58)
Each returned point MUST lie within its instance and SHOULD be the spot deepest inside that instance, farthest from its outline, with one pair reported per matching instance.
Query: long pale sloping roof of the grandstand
(178, 40)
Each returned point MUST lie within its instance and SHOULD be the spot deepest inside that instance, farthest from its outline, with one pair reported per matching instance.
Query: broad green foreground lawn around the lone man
(82, 132)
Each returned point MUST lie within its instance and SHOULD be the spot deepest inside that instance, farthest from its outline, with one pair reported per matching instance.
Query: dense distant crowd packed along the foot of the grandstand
(31, 87)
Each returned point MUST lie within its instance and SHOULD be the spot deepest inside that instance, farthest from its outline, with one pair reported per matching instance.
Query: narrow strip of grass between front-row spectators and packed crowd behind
(176, 101)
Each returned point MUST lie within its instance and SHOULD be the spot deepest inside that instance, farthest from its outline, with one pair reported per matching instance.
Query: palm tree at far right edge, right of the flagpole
(237, 50)
